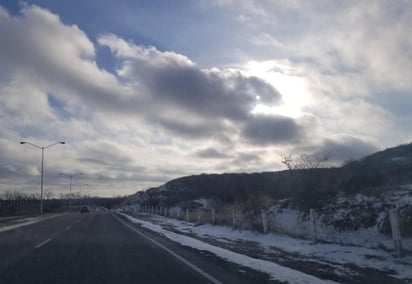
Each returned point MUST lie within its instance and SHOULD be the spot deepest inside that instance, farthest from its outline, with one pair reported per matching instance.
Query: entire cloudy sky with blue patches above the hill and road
(146, 91)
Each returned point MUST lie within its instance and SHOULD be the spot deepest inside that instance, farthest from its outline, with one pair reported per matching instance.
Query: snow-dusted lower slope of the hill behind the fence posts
(353, 220)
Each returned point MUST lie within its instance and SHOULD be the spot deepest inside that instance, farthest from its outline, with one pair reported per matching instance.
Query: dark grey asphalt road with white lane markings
(101, 247)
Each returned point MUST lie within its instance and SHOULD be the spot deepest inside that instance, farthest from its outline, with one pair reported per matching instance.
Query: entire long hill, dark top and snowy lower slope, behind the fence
(354, 198)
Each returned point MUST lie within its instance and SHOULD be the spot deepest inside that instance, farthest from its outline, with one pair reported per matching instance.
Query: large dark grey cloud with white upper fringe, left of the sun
(177, 82)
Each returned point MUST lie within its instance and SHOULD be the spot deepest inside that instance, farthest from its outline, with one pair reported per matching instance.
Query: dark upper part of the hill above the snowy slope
(376, 173)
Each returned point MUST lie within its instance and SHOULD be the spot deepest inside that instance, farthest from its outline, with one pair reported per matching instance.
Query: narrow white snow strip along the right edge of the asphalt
(276, 272)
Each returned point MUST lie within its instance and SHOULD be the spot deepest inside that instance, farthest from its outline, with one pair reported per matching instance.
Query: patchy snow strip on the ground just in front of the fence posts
(331, 253)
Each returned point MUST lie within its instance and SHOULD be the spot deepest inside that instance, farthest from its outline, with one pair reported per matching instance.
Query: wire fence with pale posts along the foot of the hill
(263, 221)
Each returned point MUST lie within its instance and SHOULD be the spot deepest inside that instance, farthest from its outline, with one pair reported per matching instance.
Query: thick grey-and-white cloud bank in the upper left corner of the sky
(41, 56)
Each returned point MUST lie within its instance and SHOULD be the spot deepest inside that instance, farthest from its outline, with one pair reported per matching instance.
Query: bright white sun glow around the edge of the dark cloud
(293, 88)
